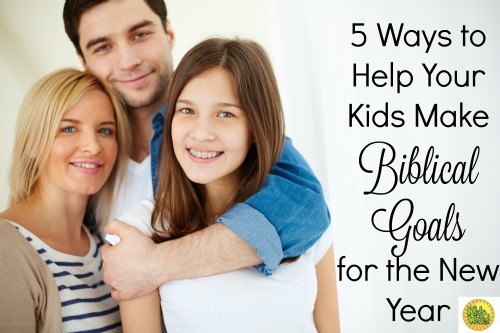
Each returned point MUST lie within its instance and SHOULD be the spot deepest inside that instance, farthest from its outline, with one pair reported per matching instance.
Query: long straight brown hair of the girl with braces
(180, 205)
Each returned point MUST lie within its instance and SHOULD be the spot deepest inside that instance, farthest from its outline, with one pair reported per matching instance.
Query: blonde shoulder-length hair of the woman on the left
(37, 125)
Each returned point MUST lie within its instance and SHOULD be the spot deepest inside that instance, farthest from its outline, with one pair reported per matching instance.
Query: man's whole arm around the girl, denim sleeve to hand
(284, 218)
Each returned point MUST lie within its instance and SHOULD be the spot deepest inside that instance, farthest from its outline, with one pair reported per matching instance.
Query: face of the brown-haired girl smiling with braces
(210, 131)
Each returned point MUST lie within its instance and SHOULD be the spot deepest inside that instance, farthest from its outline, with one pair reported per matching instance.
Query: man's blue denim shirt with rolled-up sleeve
(284, 219)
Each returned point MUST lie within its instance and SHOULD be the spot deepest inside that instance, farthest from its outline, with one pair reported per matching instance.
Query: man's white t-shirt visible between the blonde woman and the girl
(136, 186)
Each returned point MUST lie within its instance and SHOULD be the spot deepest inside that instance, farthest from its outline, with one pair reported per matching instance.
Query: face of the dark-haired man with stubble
(125, 46)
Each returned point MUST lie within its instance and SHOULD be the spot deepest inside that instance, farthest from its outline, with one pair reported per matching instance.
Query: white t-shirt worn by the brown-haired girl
(243, 300)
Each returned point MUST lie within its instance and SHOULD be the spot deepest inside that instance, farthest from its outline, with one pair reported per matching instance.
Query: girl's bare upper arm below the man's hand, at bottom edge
(142, 314)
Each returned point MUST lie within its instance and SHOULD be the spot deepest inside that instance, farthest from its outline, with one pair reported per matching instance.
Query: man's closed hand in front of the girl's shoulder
(129, 265)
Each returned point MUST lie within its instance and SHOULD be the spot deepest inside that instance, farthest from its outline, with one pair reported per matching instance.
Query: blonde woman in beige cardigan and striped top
(70, 132)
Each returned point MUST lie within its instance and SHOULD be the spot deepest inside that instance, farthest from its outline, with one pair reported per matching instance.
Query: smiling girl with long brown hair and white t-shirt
(226, 124)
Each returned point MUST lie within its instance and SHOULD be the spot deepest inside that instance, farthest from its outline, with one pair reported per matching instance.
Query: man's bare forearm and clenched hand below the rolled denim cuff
(136, 265)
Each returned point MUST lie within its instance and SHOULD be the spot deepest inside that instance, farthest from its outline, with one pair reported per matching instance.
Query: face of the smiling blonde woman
(84, 149)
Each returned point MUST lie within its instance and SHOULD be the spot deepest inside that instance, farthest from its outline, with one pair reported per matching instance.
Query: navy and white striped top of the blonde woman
(86, 301)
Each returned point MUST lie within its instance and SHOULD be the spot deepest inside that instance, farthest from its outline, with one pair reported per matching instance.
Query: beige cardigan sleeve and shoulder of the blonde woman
(29, 299)
